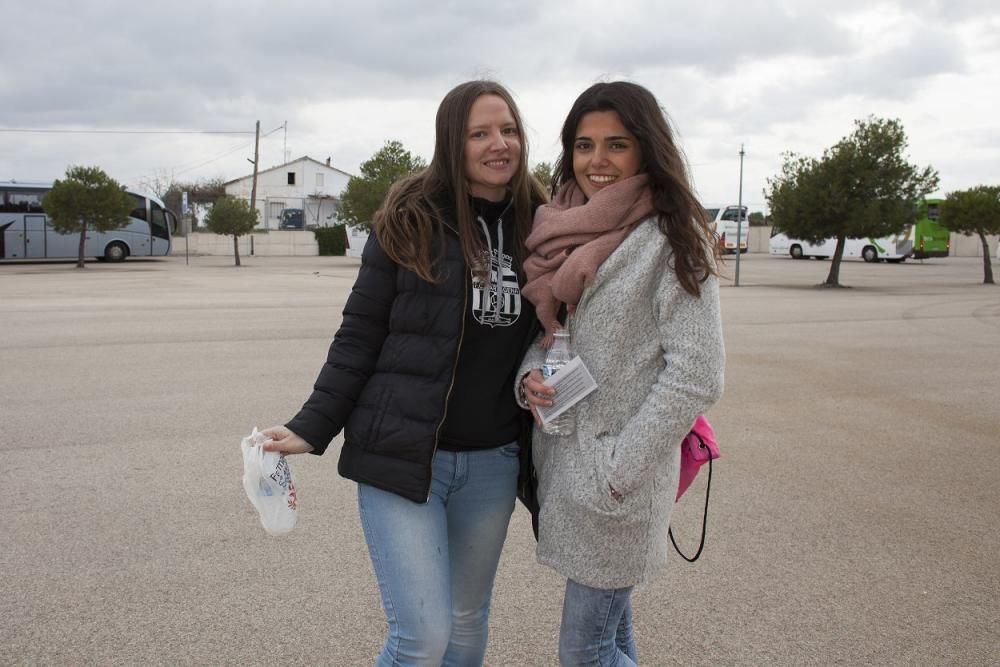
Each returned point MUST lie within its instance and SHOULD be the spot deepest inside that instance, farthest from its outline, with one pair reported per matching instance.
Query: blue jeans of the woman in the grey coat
(596, 627)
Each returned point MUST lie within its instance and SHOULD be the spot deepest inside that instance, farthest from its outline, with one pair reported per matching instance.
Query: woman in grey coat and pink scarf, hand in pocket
(625, 250)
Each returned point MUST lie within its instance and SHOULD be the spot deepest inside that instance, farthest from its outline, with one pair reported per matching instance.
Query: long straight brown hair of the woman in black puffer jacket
(408, 225)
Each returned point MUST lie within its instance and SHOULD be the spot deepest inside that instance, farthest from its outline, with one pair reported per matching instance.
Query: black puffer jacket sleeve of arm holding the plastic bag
(354, 351)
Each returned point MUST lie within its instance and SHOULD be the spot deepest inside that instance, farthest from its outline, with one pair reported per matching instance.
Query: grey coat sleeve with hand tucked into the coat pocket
(691, 381)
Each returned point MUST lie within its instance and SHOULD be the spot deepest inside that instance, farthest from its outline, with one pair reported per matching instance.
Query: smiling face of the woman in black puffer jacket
(492, 147)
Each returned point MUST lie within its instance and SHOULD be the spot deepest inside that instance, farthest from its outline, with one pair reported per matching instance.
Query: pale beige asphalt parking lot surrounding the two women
(854, 516)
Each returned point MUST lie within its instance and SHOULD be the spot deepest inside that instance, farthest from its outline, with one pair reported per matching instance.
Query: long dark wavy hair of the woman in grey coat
(681, 218)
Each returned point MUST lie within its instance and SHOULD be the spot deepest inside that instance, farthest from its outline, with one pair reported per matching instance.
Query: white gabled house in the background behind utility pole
(304, 183)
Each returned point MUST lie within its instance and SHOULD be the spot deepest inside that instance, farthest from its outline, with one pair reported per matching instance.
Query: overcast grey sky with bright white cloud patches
(347, 76)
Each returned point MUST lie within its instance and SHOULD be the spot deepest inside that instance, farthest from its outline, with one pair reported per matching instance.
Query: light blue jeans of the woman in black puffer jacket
(436, 562)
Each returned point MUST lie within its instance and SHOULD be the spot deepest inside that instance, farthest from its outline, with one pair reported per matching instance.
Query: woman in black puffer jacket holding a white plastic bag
(418, 377)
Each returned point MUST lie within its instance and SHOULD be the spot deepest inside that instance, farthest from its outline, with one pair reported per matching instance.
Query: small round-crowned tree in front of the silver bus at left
(87, 199)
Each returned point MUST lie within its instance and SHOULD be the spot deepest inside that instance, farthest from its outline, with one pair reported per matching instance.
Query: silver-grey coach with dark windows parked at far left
(25, 232)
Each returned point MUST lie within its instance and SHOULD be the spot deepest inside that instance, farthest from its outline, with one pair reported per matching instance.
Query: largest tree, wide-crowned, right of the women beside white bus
(862, 187)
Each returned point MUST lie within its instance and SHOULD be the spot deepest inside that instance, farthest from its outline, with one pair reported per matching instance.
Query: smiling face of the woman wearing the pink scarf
(604, 152)
